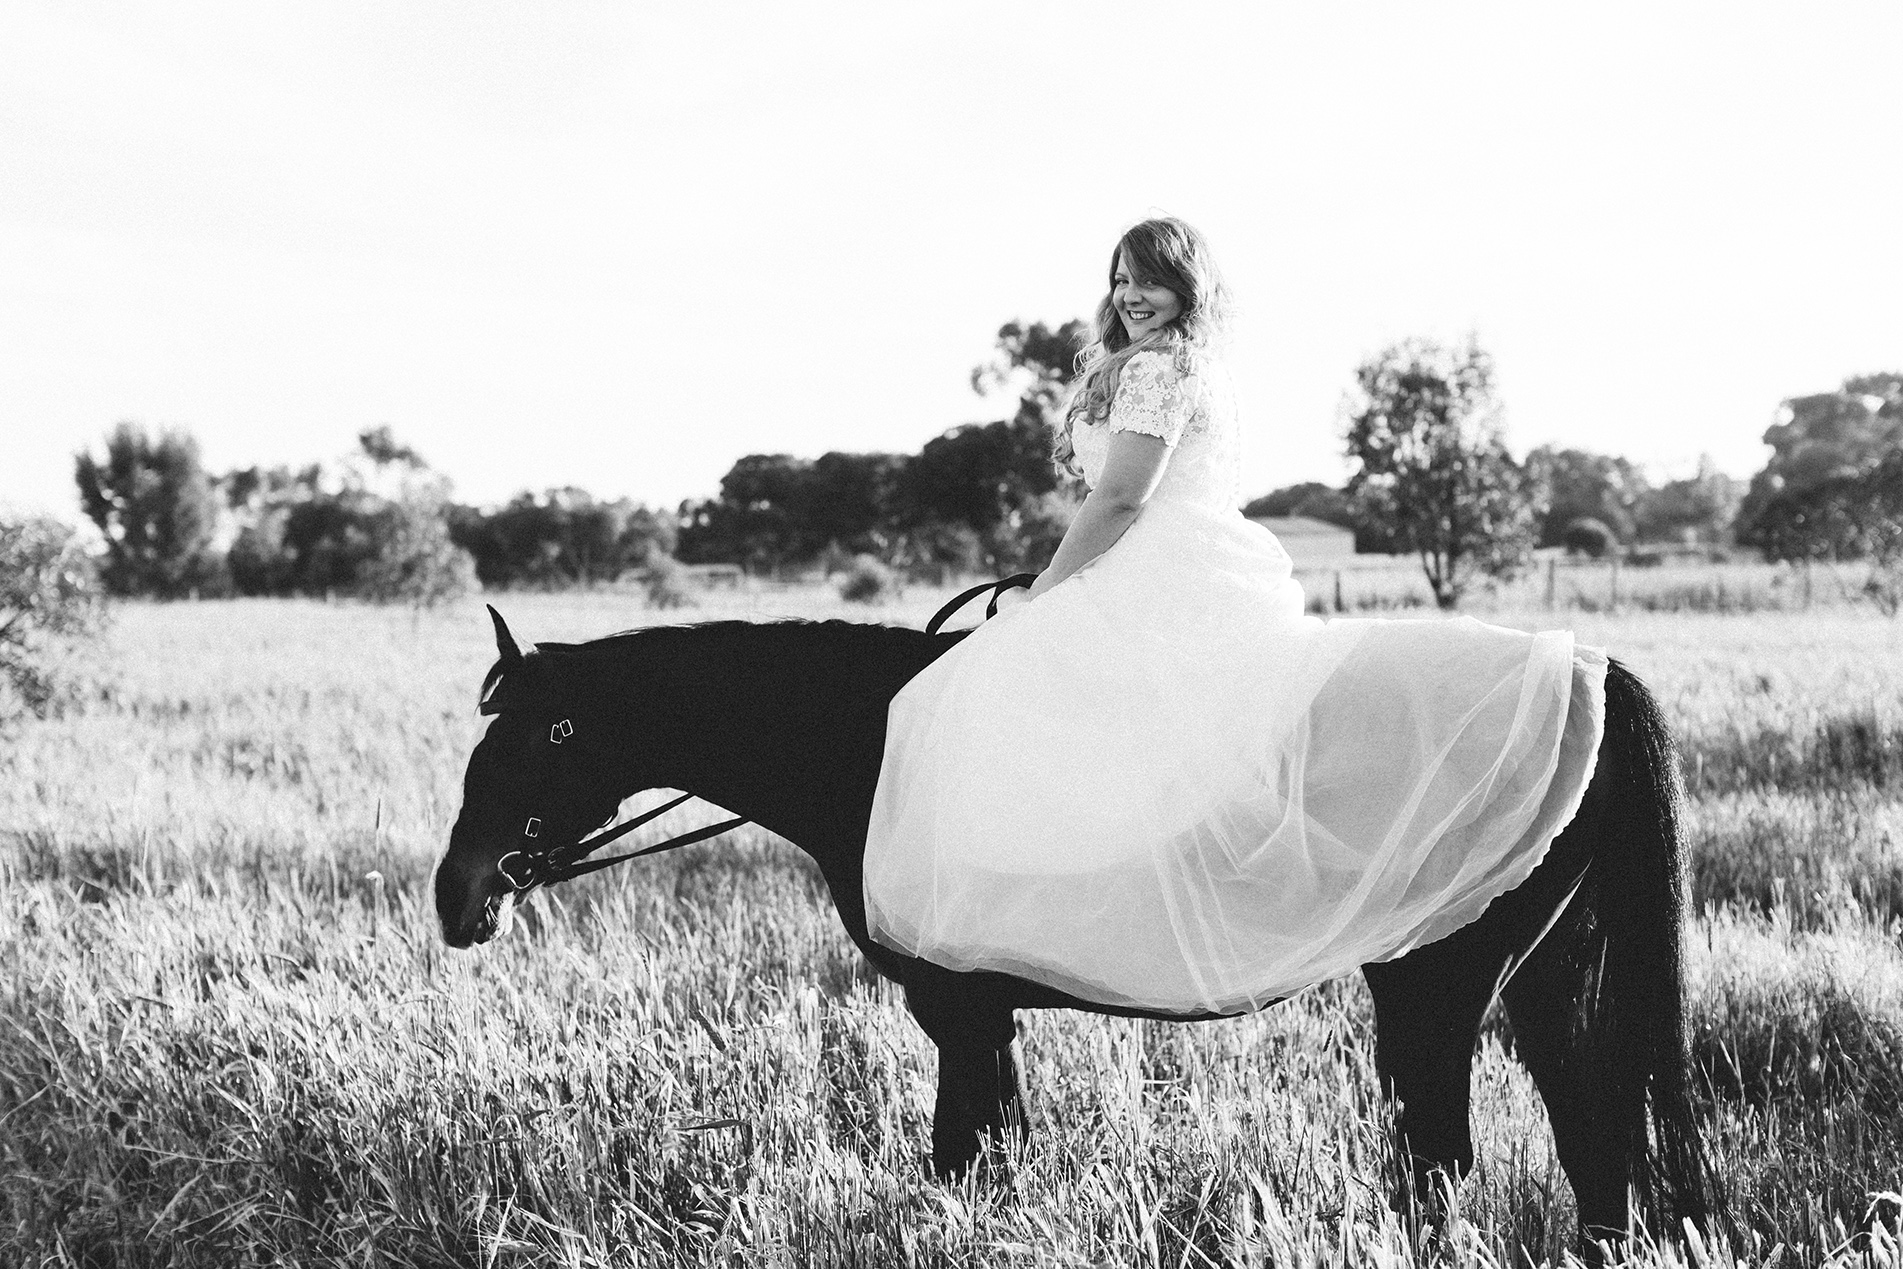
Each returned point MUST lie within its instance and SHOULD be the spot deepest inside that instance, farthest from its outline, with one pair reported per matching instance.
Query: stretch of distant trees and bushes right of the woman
(1434, 478)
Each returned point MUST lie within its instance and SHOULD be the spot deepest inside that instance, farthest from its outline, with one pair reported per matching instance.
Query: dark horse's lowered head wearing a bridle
(536, 781)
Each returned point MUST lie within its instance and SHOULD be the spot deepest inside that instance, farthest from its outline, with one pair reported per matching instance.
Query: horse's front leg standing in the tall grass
(981, 1084)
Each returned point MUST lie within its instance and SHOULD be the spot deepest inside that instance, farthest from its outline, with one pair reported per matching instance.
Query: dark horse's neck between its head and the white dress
(779, 724)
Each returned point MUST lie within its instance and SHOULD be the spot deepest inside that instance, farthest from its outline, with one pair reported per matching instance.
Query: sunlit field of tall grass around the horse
(231, 1036)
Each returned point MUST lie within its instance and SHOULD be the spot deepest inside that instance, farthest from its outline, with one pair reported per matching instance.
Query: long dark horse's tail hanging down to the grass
(1639, 1000)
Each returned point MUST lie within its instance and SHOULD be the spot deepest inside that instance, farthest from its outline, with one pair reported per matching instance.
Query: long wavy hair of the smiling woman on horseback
(1162, 252)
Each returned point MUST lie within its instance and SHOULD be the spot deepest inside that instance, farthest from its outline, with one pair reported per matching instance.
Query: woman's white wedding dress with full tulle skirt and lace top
(1162, 785)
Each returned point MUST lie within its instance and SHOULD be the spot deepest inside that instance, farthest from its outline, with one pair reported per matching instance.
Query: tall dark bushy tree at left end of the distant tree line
(155, 507)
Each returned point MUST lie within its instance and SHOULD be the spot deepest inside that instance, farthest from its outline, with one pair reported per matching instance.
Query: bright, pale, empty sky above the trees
(619, 246)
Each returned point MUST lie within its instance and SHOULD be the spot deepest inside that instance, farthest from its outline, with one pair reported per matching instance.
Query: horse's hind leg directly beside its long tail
(1590, 1108)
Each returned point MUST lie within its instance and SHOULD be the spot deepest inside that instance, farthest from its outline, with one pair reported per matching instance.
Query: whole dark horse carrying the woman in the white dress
(785, 726)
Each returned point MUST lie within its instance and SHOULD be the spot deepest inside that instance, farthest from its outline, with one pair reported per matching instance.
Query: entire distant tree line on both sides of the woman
(1432, 477)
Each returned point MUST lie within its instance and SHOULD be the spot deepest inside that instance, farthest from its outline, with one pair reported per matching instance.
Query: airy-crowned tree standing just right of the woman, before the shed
(1432, 465)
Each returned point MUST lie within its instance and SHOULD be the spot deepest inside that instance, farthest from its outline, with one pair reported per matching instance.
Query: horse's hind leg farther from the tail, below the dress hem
(1428, 1011)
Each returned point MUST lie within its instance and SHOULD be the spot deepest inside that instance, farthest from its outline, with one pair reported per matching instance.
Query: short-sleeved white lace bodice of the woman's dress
(1188, 410)
